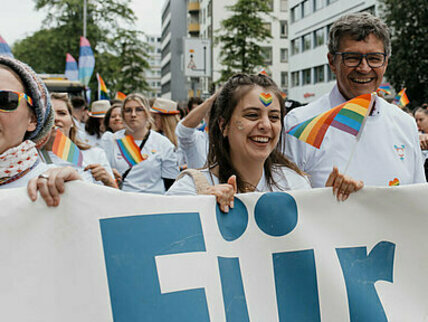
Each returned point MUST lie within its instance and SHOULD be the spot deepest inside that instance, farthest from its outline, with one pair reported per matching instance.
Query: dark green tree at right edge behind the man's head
(408, 64)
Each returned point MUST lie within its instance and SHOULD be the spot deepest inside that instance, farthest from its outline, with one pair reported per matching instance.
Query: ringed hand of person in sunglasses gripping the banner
(51, 184)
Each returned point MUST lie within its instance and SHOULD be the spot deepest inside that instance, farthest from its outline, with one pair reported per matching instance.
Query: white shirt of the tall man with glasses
(388, 151)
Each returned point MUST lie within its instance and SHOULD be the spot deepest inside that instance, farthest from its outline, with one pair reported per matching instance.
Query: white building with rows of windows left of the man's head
(309, 25)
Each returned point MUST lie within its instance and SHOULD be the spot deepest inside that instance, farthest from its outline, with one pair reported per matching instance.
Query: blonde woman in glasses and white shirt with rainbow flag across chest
(159, 168)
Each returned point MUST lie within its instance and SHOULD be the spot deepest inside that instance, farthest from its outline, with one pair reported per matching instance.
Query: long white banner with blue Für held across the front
(106, 255)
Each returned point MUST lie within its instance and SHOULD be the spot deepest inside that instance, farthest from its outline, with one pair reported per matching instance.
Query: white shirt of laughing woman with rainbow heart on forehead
(286, 178)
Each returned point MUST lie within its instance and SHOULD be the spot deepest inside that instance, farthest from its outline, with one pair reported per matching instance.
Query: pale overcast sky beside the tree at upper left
(18, 18)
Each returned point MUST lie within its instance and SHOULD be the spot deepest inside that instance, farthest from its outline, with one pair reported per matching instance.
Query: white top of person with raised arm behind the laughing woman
(194, 144)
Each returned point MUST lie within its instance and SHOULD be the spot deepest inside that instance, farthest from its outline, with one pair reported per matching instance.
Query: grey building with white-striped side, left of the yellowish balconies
(174, 28)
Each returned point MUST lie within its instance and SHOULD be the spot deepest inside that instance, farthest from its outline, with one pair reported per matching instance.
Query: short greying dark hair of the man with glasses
(359, 26)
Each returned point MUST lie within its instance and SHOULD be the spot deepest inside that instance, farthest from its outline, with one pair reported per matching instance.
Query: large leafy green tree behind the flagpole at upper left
(110, 30)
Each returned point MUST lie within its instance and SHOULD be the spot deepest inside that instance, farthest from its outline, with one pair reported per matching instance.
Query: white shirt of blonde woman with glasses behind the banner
(147, 175)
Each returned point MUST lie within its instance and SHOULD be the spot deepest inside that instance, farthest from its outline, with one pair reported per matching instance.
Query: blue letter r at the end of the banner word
(361, 272)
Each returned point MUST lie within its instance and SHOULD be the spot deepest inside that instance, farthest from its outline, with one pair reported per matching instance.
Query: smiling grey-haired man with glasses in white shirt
(388, 152)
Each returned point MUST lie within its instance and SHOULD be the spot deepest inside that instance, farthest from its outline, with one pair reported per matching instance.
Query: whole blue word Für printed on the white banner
(132, 243)
